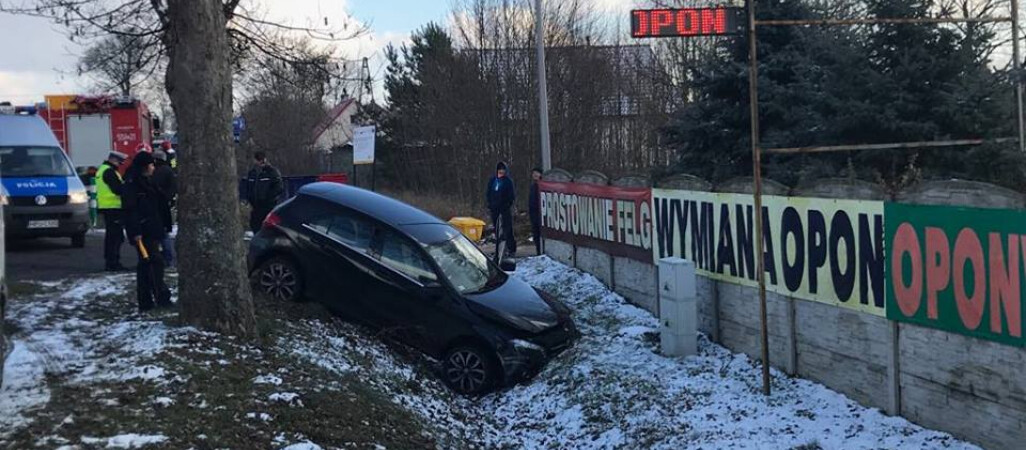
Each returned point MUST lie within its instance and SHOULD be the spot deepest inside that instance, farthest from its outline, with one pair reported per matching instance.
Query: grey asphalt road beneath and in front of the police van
(48, 260)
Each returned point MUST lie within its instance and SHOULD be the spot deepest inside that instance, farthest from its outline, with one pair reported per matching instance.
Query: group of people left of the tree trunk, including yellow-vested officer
(139, 206)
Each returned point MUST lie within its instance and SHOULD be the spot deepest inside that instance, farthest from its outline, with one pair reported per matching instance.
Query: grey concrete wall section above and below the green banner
(972, 388)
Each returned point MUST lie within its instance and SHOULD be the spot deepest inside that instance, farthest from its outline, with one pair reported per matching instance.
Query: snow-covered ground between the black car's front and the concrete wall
(614, 390)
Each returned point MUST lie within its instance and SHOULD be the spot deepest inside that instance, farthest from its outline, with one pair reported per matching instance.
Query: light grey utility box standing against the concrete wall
(678, 307)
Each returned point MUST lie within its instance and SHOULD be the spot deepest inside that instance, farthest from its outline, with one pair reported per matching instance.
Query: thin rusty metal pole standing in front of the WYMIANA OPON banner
(754, 94)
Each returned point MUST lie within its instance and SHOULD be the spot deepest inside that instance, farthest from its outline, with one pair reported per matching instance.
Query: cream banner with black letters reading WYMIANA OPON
(817, 250)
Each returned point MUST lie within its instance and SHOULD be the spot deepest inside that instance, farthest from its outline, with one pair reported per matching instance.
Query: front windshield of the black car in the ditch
(465, 266)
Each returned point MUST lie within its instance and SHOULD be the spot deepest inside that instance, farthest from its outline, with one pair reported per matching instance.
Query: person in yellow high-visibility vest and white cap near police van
(109, 186)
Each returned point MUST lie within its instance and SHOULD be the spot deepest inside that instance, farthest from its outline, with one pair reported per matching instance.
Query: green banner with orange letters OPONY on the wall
(959, 270)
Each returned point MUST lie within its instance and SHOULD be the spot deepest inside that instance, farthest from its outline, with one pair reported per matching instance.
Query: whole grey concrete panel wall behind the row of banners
(971, 388)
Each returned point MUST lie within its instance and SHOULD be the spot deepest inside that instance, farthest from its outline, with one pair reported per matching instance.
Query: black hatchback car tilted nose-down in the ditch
(382, 263)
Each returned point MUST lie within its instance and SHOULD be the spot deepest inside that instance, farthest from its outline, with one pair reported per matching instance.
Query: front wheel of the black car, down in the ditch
(470, 371)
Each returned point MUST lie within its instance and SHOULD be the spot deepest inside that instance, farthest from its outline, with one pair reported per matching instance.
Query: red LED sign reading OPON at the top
(688, 22)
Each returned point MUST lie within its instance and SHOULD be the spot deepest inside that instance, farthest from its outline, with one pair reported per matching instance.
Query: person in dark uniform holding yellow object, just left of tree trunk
(143, 202)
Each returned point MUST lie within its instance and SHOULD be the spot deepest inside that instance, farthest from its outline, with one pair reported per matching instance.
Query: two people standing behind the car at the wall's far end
(501, 198)
